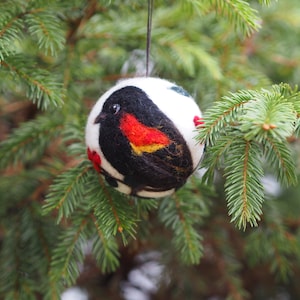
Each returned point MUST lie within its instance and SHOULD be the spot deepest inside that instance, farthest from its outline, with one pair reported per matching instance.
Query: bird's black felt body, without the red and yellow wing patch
(160, 170)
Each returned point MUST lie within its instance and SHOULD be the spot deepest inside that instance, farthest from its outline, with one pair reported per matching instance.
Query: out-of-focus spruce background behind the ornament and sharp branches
(92, 45)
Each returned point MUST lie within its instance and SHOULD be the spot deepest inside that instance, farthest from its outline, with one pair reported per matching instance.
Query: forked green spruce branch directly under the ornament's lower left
(80, 186)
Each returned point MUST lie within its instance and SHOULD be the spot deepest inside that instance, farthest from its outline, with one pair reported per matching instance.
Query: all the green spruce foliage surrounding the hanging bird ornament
(56, 213)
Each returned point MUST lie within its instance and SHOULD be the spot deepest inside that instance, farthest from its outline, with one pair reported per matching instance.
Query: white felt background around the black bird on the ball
(179, 108)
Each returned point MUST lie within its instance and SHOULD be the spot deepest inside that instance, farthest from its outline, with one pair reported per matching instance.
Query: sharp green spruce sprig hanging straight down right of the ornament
(243, 187)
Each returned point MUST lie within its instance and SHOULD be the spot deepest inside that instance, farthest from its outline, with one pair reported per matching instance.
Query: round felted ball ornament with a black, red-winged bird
(140, 136)
